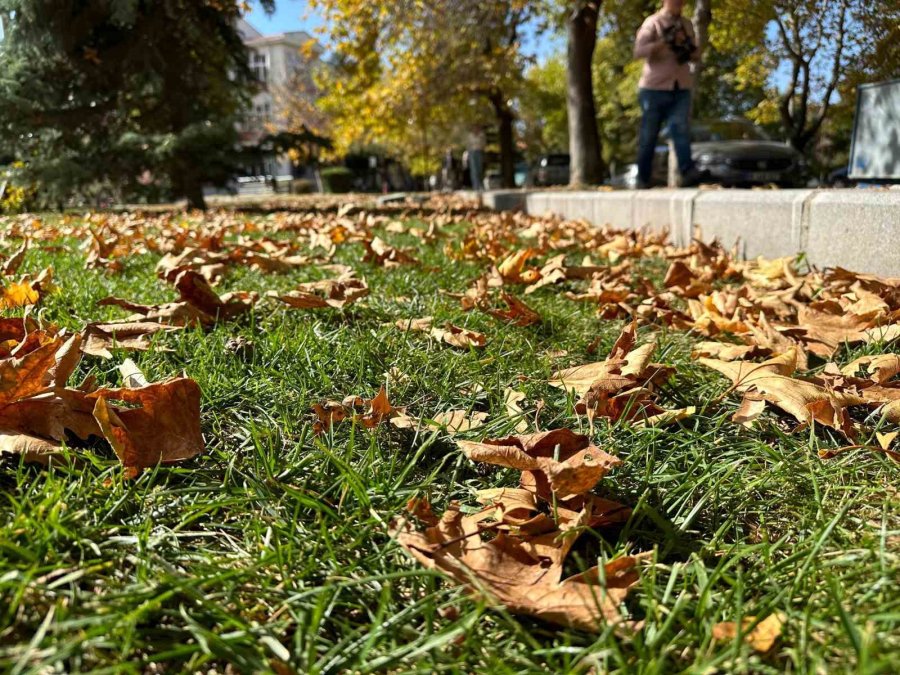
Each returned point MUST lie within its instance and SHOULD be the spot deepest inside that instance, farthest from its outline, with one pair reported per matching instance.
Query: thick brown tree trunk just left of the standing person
(586, 162)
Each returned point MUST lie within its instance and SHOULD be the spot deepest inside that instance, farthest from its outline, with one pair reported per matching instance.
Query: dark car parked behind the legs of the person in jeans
(737, 153)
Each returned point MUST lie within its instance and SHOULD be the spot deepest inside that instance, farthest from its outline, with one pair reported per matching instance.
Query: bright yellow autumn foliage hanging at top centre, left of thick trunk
(412, 76)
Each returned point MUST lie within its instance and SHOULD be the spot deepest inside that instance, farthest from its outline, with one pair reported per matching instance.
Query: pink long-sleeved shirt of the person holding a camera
(661, 69)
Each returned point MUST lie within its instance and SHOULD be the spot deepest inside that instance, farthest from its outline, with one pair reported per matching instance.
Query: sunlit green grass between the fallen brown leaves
(272, 546)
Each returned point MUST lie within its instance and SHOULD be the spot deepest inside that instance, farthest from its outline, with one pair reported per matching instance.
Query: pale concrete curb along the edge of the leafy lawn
(856, 229)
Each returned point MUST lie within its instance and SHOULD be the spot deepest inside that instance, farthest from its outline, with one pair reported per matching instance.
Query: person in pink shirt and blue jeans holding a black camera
(666, 40)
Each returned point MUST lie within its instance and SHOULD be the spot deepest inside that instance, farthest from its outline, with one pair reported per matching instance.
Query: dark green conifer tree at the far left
(100, 92)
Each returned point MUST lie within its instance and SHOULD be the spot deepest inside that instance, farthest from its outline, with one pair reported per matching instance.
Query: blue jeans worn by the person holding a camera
(658, 107)
